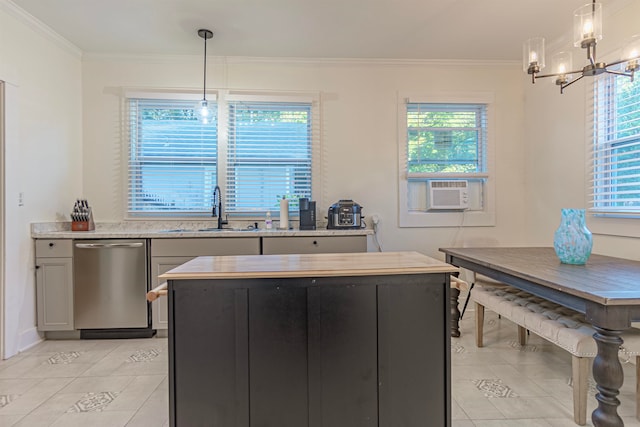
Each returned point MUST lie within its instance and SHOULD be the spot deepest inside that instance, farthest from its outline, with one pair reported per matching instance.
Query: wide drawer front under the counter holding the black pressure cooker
(312, 245)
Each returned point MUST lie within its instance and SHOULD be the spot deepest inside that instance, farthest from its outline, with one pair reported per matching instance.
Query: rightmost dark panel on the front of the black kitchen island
(414, 352)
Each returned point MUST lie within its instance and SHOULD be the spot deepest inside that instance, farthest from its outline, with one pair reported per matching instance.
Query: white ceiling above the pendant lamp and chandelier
(380, 29)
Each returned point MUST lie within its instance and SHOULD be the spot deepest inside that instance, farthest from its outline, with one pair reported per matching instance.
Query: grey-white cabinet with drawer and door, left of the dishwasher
(54, 284)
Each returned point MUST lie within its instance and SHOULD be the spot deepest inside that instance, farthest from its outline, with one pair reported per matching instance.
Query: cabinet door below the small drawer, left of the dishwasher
(54, 294)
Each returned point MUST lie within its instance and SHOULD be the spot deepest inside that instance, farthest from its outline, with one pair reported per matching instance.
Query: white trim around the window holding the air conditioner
(483, 218)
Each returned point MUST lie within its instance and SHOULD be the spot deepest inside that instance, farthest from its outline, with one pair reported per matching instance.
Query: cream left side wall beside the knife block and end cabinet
(43, 155)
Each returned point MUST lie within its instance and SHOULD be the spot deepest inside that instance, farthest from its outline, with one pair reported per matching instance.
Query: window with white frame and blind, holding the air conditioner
(444, 139)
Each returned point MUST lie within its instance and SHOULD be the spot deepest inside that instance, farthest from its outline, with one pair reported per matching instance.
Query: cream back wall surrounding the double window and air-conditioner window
(359, 129)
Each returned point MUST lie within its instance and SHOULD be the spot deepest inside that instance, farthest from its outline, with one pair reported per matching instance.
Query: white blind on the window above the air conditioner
(446, 139)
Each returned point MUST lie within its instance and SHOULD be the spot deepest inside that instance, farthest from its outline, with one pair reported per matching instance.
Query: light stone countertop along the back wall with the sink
(175, 229)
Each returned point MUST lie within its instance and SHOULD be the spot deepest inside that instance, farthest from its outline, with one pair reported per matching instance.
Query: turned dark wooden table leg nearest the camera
(608, 374)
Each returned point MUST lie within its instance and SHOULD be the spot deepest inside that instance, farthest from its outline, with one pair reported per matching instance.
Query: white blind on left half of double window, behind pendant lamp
(172, 159)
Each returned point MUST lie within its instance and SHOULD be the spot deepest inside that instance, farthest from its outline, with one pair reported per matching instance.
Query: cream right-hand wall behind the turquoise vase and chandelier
(557, 143)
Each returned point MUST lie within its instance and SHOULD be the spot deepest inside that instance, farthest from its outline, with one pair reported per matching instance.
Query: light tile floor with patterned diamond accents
(116, 383)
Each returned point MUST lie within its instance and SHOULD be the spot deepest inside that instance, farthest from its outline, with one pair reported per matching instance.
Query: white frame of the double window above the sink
(222, 97)
